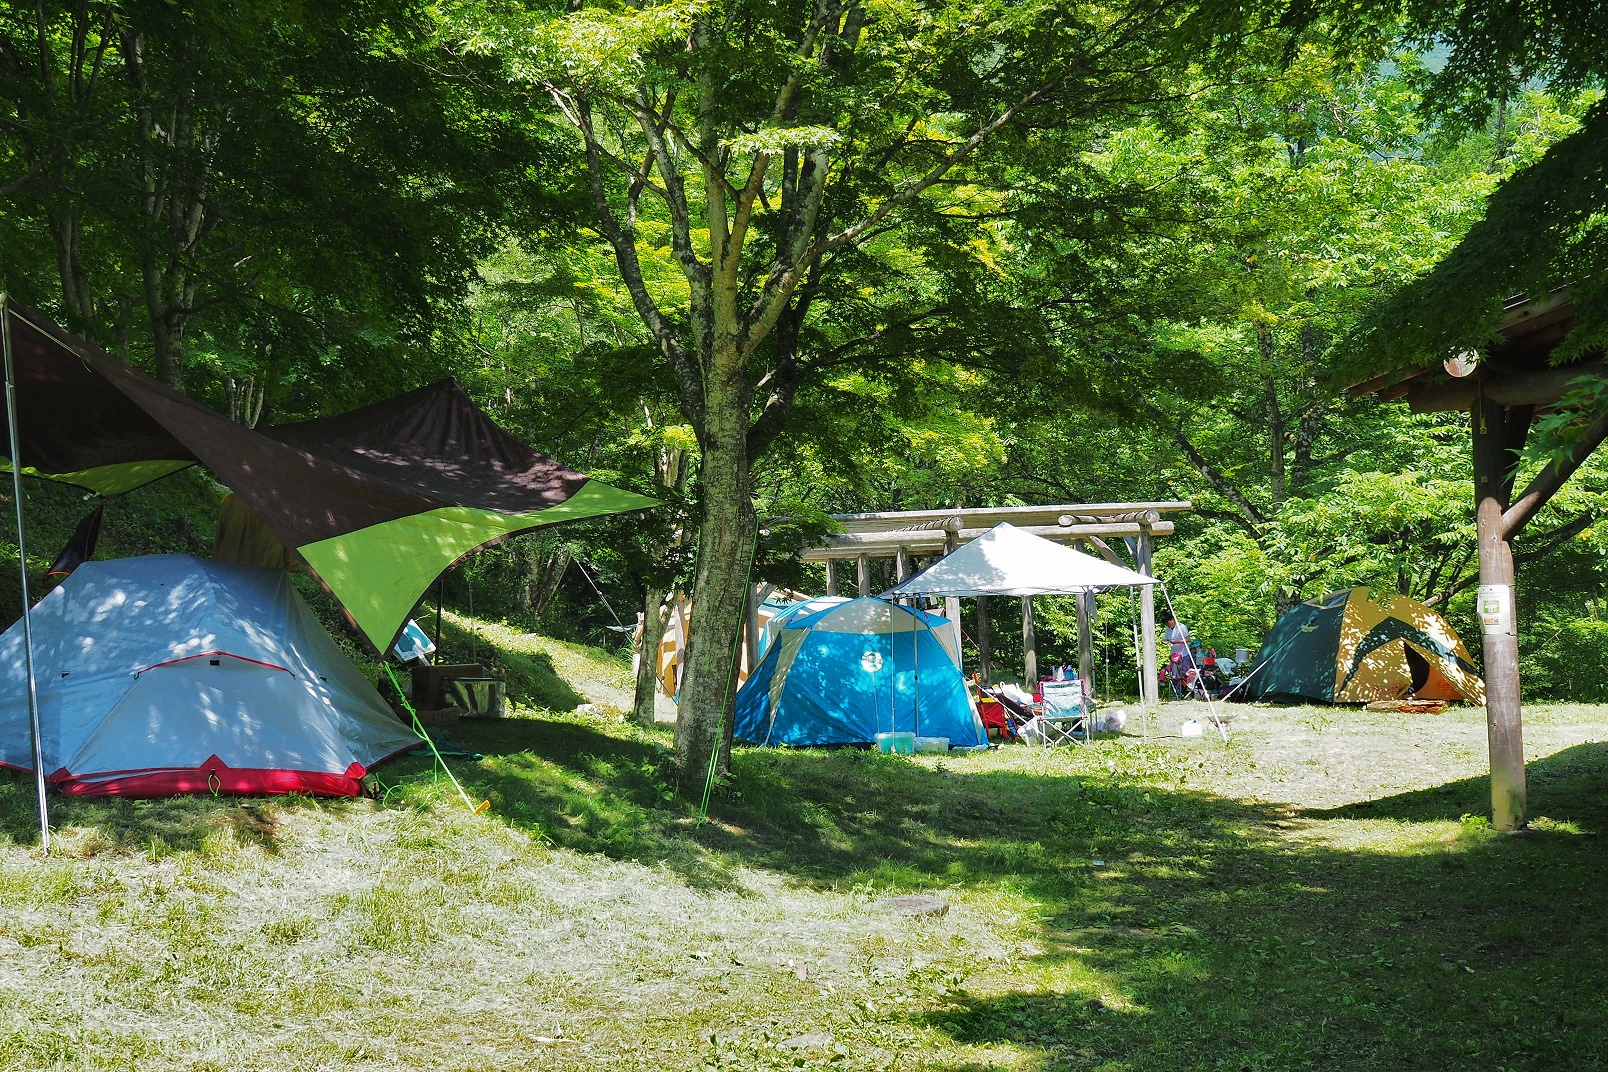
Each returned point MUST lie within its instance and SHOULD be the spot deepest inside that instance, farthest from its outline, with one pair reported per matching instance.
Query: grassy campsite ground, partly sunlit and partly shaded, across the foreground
(1302, 898)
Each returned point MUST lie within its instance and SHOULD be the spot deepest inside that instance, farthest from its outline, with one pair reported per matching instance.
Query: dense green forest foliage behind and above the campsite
(1136, 288)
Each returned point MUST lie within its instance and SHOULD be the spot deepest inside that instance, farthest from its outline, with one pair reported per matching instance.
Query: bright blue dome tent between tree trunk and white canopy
(848, 673)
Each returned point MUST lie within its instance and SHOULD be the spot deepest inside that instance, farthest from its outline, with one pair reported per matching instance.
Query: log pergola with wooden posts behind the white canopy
(1123, 534)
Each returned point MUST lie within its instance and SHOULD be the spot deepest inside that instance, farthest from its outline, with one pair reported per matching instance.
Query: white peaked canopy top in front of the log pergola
(1007, 562)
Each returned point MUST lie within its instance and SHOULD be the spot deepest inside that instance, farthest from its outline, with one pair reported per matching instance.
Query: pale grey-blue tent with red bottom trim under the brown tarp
(171, 674)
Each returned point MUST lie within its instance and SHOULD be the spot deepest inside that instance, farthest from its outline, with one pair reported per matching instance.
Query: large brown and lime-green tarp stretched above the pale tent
(377, 502)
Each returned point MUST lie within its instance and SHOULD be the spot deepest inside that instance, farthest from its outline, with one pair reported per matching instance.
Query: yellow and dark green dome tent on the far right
(1358, 647)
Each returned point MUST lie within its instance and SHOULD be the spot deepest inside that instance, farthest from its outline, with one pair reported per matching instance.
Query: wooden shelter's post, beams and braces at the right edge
(1503, 391)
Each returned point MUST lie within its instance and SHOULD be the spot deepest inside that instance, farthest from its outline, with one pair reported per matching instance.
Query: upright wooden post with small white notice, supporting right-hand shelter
(1498, 433)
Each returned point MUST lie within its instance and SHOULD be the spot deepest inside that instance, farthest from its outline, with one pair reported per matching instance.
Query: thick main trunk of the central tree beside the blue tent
(726, 549)
